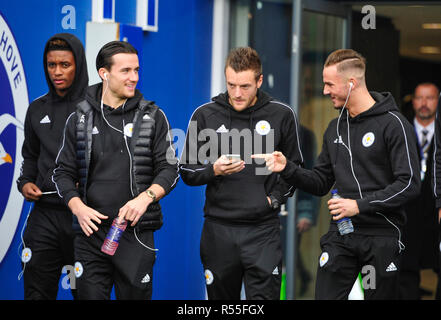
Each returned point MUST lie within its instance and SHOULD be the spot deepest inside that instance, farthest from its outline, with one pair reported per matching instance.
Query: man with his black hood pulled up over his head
(48, 238)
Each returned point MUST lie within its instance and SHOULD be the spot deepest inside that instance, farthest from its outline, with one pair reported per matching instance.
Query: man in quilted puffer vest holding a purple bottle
(116, 162)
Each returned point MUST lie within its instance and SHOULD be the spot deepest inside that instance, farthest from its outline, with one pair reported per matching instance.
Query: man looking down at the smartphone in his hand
(240, 239)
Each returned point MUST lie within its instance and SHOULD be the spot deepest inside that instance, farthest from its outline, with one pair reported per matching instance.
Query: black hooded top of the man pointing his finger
(374, 161)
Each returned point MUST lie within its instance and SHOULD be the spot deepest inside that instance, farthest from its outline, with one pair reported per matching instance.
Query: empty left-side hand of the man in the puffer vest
(87, 217)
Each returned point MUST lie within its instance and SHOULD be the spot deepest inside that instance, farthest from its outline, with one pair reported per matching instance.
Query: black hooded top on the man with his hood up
(44, 125)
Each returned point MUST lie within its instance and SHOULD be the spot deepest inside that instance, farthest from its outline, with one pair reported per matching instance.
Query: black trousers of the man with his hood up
(49, 237)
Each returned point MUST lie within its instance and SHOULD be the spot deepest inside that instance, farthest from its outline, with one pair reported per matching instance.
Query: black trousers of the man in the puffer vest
(130, 269)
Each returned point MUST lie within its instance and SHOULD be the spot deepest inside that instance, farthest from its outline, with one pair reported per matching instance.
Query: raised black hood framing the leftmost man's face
(81, 81)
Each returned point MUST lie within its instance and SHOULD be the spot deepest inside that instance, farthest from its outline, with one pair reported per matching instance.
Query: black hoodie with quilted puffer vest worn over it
(108, 174)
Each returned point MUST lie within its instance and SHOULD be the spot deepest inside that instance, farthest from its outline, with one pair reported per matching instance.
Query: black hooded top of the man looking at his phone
(240, 198)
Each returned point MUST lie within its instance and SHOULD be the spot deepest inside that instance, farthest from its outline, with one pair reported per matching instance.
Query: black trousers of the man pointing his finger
(344, 257)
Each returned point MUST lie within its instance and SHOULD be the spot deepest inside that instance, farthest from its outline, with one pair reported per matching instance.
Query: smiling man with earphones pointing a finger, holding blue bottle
(369, 156)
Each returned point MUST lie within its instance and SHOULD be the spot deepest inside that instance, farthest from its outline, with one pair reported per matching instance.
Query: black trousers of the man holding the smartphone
(232, 254)
